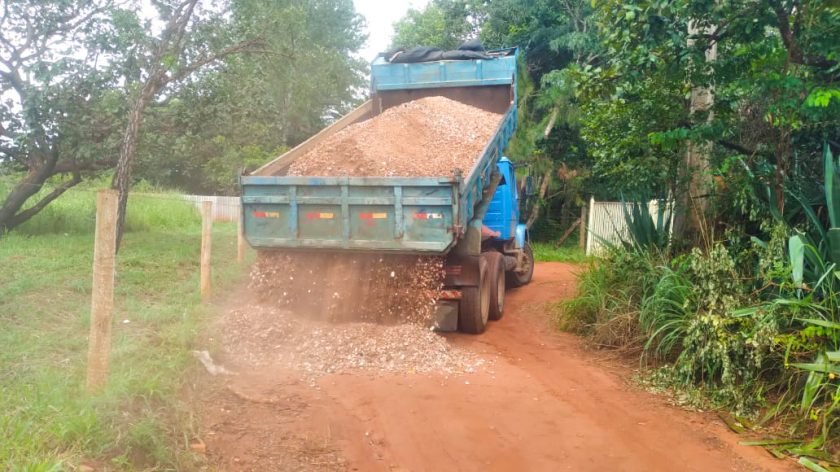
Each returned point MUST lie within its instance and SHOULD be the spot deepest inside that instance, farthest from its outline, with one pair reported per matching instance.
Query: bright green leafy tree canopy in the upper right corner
(774, 58)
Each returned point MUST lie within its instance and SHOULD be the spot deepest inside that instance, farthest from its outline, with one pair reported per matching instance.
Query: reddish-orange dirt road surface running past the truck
(544, 403)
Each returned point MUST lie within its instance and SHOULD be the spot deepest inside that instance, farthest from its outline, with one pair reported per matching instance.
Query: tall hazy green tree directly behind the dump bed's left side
(253, 106)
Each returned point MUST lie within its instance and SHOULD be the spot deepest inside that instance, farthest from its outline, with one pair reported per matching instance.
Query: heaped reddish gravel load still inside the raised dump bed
(431, 136)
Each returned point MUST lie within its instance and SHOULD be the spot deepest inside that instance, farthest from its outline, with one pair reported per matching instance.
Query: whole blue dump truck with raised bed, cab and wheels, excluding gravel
(439, 216)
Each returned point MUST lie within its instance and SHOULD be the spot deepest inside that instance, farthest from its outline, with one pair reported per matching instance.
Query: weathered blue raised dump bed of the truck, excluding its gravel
(393, 214)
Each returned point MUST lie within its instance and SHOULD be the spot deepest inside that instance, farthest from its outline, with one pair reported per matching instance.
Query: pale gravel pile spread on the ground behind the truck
(261, 335)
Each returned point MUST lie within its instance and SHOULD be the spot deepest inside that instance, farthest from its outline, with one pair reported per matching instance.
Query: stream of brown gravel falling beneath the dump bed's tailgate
(350, 286)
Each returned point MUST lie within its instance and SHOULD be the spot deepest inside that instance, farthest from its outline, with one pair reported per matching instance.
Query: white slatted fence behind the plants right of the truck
(607, 223)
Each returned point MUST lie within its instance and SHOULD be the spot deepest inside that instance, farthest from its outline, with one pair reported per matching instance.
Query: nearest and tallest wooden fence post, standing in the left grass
(102, 291)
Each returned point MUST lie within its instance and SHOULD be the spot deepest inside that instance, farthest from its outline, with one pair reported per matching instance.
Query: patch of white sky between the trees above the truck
(380, 16)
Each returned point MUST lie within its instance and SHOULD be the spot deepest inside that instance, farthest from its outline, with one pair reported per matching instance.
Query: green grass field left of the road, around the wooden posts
(138, 422)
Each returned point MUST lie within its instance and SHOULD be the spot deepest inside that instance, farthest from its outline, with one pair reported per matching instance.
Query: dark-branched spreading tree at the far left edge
(57, 114)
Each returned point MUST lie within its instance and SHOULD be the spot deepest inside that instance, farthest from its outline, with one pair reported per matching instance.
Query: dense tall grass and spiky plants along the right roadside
(750, 324)
